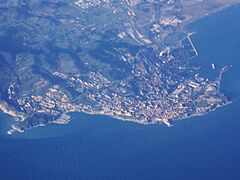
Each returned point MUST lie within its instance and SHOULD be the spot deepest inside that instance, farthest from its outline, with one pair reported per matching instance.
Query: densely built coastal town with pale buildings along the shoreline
(156, 93)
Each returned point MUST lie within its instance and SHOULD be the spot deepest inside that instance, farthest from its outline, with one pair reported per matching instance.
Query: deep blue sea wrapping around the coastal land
(99, 147)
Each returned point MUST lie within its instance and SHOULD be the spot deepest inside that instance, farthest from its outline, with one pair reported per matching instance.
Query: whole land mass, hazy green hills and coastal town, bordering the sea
(136, 70)
